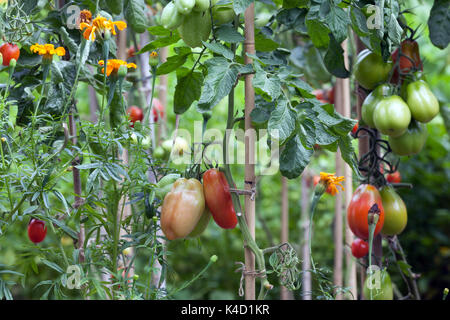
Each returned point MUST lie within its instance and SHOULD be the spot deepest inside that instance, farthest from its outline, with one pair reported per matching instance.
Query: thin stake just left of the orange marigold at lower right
(306, 259)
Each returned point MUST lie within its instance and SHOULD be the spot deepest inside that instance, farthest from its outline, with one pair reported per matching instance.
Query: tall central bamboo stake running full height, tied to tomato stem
(249, 46)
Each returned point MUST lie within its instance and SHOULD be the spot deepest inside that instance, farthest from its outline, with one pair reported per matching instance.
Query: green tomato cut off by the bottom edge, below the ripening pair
(381, 290)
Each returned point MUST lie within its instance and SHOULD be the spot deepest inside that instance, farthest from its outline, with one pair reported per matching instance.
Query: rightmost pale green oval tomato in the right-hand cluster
(421, 101)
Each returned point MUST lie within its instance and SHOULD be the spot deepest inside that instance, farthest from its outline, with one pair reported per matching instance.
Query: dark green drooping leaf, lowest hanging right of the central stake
(294, 158)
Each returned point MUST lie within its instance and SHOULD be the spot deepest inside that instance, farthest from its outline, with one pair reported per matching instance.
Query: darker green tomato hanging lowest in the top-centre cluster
(195, 28)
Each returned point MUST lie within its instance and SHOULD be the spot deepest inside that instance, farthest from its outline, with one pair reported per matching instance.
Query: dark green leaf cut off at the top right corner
(439, 23)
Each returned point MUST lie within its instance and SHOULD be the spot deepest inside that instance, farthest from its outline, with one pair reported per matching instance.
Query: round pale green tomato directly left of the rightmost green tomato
(392, 116)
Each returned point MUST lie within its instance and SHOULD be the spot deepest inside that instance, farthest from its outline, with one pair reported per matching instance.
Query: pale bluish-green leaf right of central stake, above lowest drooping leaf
(282, 119)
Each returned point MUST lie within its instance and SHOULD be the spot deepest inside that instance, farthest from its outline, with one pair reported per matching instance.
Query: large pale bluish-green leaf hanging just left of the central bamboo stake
(221, 78)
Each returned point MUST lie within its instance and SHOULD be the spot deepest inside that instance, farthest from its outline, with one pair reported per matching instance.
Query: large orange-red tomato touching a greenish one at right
(364, 197)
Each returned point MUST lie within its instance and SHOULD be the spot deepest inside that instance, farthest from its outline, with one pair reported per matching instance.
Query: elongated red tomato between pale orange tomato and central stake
(218, 199)
